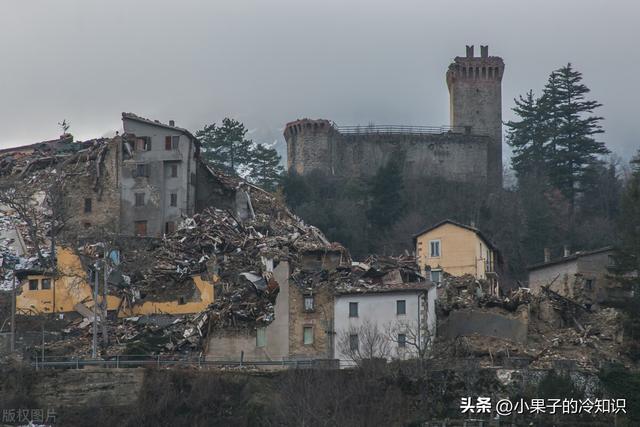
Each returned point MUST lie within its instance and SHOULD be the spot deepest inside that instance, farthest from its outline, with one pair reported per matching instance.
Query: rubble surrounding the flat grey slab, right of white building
(559, 330)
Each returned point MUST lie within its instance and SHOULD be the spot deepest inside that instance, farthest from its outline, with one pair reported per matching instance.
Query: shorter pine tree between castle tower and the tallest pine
(528, 137)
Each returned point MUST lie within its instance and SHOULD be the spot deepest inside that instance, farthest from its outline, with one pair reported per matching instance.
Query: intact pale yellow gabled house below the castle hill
(457, 249)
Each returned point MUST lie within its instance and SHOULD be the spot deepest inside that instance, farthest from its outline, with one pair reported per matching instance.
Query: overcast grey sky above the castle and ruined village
(269, 62)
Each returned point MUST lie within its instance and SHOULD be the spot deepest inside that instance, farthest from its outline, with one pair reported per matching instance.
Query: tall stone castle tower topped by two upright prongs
(475, 99)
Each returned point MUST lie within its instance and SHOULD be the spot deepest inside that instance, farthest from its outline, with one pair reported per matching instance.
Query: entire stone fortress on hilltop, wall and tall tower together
(469, 150)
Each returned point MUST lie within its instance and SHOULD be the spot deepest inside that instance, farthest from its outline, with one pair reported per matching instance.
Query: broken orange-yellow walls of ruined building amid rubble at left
(41, 293)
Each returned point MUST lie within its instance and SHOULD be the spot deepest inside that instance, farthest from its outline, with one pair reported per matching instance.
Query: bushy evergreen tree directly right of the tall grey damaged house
(225, 147)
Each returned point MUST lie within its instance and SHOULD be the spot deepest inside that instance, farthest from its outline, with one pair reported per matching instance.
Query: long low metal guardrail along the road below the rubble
(137, 361)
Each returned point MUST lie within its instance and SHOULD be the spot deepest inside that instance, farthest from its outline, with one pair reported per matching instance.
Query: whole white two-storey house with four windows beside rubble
(390, 323)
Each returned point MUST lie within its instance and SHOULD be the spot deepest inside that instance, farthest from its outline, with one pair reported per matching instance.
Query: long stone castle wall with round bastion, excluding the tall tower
(454, 156)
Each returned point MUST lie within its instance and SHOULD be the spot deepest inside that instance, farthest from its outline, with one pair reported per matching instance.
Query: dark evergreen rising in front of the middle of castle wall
(386, 201)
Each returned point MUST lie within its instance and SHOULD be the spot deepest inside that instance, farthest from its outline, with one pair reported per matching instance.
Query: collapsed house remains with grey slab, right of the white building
(538, 330)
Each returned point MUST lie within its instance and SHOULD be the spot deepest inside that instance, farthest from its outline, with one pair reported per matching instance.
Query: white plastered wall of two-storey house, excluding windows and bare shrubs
(379, 309)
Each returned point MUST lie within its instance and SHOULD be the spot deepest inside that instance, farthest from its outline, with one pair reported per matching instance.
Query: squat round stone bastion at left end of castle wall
(309, 146)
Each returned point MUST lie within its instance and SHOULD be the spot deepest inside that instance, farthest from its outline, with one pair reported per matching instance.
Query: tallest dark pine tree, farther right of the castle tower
(571, 127)
